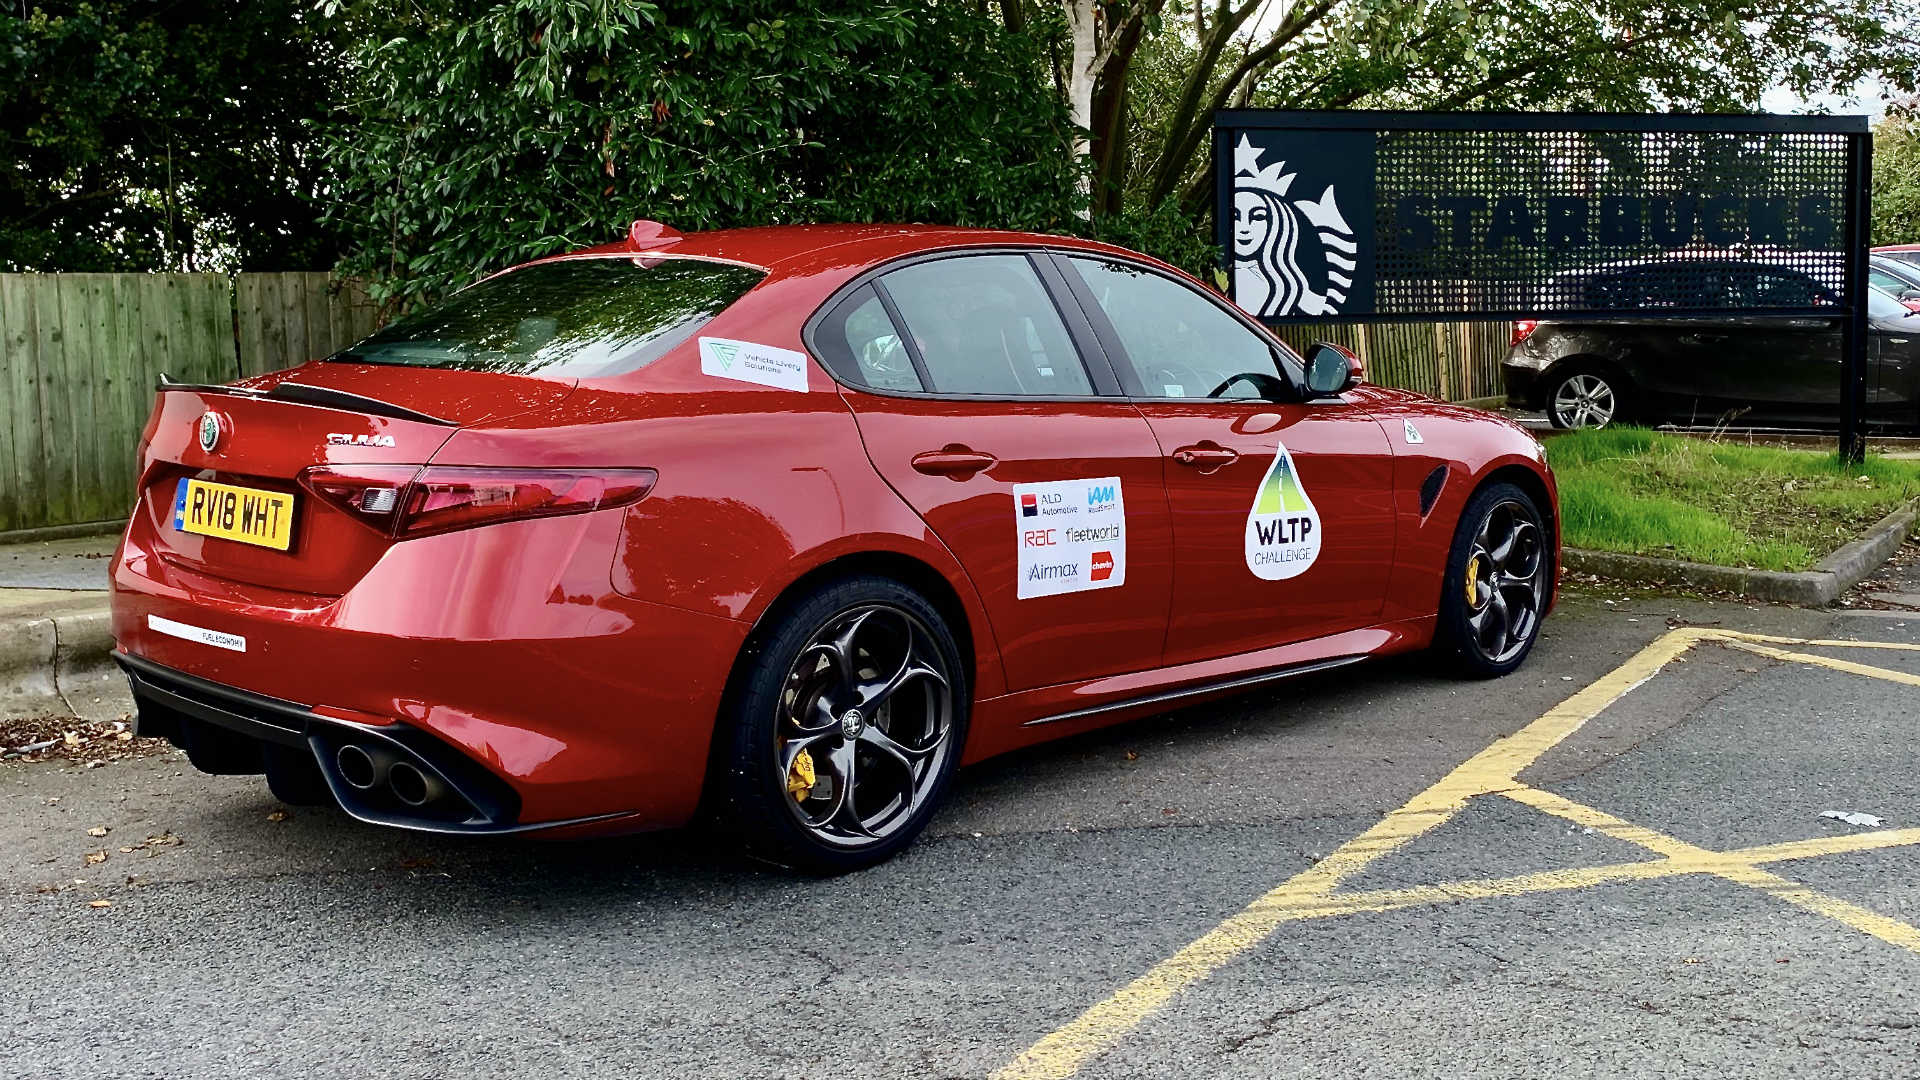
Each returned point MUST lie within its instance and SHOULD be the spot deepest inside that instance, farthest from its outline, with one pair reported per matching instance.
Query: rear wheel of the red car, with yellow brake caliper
(863, 679)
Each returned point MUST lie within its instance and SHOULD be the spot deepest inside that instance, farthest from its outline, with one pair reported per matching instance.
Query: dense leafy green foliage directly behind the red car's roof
(483, 137)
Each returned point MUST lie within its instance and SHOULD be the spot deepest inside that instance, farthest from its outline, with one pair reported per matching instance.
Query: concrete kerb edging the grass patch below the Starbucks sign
(1808, 589)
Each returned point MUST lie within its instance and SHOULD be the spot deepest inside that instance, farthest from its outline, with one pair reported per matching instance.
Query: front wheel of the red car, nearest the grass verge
(1485, 633)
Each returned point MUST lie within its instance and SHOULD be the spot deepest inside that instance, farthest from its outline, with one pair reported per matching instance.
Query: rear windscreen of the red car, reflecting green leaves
(573, 318)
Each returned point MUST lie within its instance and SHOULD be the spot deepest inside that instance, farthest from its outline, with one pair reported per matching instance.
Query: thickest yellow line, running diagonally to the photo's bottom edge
(1063, 1052)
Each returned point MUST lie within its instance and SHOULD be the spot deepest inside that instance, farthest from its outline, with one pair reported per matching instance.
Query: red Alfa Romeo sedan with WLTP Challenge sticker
(790, 524)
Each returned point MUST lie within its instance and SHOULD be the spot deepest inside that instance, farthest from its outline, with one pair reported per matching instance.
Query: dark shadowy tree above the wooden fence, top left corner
(174, 135)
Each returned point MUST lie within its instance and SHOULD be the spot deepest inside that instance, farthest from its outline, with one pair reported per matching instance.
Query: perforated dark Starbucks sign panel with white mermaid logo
(1364, 216)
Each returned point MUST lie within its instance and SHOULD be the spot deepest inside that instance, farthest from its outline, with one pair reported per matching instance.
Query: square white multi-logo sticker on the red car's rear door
(1072, 535)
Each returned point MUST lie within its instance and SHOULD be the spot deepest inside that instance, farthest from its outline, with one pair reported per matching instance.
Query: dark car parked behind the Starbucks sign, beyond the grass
(1710, 370)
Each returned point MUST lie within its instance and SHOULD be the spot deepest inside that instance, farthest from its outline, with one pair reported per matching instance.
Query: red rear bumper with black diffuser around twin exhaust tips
(494, 660)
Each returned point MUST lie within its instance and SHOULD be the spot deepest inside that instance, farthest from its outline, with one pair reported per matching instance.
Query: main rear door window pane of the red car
(986, 326)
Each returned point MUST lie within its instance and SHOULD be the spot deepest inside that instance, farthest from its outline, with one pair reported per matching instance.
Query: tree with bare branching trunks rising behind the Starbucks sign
(1153, 72)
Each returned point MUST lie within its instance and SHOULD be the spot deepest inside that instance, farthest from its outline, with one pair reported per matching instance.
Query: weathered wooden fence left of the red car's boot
(80, 355)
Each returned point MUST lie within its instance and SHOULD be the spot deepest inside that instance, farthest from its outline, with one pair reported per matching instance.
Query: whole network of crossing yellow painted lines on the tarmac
(1493, 772)
